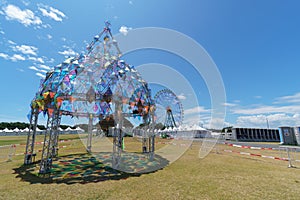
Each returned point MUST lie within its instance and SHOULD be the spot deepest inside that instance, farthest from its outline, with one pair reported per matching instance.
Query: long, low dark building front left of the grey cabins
(255, 135)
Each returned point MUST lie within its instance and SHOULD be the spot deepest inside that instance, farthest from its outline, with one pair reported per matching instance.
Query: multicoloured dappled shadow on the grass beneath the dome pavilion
(87, 168)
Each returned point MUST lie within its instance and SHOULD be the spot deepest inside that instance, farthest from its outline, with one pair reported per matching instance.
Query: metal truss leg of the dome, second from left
(50, 149)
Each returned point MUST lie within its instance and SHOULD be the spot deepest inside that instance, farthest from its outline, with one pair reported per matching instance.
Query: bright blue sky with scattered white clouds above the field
(255, 45)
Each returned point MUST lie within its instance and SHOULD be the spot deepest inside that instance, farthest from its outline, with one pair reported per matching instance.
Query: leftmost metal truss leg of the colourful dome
(29, 151)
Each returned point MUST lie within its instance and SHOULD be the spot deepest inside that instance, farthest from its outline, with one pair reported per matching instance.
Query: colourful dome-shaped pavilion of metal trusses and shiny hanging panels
(96, 85)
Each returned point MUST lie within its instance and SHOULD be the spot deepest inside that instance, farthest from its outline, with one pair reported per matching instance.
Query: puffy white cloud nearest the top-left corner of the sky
(25, 17)
